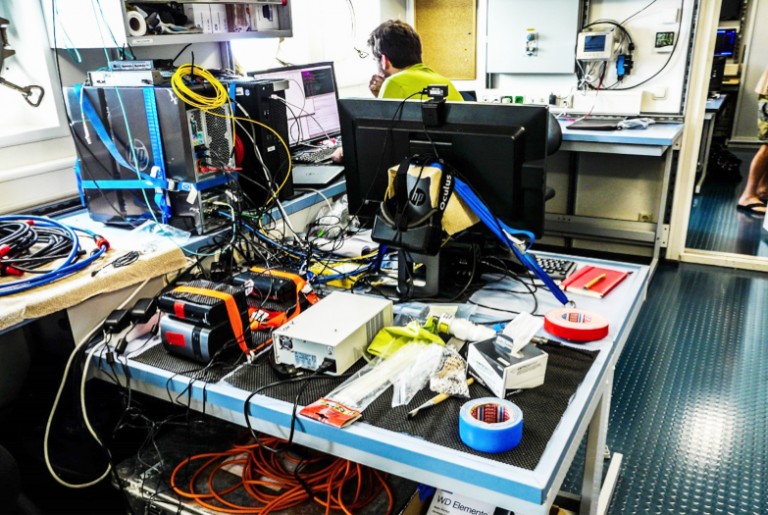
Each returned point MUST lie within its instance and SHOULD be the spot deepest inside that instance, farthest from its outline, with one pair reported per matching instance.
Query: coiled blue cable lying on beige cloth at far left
(70, 264)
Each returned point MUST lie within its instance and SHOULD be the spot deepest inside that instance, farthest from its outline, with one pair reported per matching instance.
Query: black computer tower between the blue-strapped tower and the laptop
(262, 101)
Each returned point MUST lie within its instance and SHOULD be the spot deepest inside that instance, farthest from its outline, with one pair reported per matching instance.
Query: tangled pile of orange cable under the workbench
(278, 480)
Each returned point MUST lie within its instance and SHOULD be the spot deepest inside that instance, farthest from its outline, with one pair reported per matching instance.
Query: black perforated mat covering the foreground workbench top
(542, 407)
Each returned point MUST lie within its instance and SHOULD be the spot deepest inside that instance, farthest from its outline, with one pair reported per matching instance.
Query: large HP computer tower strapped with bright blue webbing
(115, 125)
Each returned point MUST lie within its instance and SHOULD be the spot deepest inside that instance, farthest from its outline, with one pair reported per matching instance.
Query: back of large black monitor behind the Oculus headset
(499, 149)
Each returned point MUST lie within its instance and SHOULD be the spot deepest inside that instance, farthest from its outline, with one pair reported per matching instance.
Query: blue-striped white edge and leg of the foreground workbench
(481, 477)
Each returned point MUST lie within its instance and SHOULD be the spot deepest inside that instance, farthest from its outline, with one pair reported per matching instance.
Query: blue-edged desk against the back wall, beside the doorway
(612, 187)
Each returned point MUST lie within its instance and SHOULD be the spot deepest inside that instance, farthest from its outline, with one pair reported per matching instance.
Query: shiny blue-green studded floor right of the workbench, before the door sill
(690, 405)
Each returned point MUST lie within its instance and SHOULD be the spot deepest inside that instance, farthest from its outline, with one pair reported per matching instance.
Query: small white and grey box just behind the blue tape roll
(499, 371)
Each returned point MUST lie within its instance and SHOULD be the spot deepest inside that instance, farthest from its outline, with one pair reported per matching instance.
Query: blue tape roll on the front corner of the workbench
(490, 424)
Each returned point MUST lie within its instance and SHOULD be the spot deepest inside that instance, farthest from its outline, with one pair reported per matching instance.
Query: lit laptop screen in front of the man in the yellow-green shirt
(311, 101)
